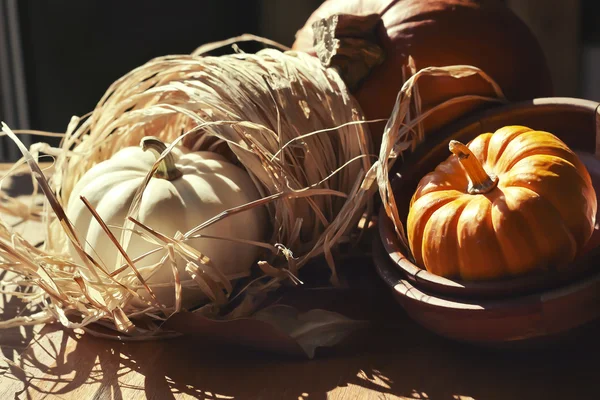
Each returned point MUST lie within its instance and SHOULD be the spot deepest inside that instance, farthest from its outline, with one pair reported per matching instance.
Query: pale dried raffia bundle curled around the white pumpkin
(288, 121)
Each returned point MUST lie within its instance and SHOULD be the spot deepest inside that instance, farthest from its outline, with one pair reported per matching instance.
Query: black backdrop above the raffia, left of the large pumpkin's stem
(75, 49)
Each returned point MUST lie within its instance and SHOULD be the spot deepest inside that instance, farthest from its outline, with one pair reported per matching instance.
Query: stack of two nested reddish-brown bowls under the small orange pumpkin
(502, 311)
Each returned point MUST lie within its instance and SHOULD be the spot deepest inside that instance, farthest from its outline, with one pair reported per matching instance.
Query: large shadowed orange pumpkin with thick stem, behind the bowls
(482, 33)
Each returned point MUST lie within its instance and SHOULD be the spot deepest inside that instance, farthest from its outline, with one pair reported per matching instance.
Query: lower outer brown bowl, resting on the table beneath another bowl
(522, 321)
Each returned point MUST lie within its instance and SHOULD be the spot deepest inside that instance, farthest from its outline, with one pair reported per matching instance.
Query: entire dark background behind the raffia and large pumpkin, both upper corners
(72, 50)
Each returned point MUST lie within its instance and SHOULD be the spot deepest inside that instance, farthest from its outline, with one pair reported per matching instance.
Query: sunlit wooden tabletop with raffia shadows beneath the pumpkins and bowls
(395, 358)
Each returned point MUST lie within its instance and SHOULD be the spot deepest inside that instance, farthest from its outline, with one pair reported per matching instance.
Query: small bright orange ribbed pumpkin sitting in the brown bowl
(507, 204)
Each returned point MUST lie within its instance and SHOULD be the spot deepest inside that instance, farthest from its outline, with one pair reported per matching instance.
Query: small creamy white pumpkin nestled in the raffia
(200, 185)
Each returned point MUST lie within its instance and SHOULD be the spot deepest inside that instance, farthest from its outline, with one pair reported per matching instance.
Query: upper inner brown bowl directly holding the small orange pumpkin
(574, 121)
